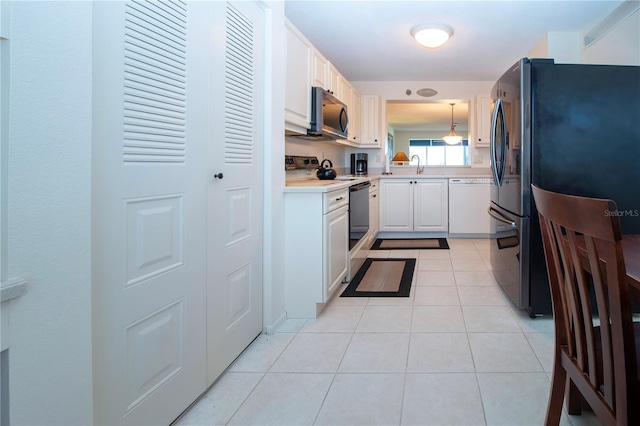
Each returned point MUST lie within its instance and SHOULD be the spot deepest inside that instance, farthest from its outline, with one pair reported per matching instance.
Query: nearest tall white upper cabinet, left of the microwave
(297, 109)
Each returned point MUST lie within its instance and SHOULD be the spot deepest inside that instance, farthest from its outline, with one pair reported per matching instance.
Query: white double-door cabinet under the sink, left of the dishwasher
(414, 205)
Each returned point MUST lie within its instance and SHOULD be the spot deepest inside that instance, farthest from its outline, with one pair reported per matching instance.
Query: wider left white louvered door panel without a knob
(149, 209)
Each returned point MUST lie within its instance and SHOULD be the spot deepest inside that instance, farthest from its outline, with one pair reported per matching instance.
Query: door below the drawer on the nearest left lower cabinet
(336, 250)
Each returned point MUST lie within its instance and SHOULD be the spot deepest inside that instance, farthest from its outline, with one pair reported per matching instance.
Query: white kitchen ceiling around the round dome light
(370, 40)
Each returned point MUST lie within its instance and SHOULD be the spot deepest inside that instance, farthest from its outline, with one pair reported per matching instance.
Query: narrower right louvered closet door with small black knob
(234, 277)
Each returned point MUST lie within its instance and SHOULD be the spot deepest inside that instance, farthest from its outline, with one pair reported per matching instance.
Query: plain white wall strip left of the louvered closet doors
(49, 213)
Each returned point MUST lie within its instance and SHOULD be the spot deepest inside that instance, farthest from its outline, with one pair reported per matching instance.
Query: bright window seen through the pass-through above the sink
(435, 152)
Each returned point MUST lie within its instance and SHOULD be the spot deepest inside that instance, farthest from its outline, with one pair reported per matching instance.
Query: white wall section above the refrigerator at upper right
(619, 46)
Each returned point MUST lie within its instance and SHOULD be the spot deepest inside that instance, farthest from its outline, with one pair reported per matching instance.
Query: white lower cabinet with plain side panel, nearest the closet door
(317, 249)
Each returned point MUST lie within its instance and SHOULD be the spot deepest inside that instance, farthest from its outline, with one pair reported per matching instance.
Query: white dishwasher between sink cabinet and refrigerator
(469, 200)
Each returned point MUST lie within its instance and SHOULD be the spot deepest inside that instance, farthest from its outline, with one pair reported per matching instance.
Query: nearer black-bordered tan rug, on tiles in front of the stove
(382, 278)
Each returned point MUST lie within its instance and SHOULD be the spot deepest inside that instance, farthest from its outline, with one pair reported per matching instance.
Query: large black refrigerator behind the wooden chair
(569, 128)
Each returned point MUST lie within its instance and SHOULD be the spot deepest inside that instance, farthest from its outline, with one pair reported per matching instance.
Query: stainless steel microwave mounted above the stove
(329, 118)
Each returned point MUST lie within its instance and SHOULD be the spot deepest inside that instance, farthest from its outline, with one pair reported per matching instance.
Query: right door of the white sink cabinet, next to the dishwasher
(431, 205)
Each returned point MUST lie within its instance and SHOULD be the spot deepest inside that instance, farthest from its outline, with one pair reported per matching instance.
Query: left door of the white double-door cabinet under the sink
(396, 210)
